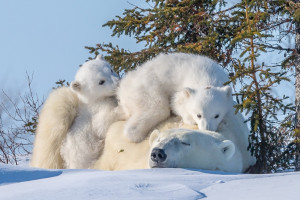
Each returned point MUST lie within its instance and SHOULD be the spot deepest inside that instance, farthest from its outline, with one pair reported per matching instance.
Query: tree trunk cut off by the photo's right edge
(297, 88)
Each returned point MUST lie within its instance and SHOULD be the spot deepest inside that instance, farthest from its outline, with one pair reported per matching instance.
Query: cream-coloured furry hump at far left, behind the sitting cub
(55, 119)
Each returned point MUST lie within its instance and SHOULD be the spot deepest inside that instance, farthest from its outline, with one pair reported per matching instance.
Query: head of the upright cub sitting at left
(95, 79)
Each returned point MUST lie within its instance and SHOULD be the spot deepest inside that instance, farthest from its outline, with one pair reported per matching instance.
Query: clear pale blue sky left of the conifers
(46, 39)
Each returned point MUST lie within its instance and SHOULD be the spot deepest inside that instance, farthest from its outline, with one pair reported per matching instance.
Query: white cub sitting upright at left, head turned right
(95, 85)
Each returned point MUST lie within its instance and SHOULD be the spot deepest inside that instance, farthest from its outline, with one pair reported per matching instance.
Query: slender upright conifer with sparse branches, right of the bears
(269, 142)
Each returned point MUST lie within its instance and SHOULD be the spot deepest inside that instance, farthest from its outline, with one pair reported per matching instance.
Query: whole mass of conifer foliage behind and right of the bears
(242, 37)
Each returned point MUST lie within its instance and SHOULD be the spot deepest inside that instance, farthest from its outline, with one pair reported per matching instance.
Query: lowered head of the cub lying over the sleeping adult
(205, 107)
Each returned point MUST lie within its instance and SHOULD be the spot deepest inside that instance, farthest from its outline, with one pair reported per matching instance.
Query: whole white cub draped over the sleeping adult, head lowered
(145, 93)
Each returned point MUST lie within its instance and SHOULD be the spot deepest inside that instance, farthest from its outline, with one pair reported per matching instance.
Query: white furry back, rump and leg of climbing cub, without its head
(144, 94)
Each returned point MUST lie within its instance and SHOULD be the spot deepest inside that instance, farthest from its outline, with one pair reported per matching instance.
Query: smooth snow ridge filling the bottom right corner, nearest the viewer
(283, 186)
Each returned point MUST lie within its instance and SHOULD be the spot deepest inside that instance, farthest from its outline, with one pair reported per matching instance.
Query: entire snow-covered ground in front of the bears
(30, 183)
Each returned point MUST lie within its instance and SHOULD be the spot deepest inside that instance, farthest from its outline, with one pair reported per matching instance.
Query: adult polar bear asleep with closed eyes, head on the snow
(121, 154)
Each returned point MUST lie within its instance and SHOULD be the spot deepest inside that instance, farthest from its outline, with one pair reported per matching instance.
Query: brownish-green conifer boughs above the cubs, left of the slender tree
(188, 26)
